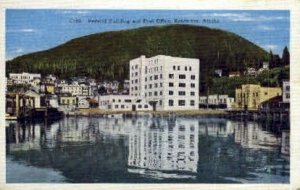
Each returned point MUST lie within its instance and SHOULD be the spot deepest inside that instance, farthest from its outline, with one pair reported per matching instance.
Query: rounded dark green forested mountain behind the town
(106, 56)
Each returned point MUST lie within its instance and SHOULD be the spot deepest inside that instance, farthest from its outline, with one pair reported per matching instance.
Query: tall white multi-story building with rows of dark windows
(168, 83)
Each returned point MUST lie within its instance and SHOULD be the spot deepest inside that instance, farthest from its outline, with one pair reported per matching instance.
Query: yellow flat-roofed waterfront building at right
(250, 96)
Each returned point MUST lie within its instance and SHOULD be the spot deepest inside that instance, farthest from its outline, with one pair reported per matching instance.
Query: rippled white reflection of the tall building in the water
(163, 145)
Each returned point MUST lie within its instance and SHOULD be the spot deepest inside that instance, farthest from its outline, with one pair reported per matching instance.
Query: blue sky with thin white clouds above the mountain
(31, 30)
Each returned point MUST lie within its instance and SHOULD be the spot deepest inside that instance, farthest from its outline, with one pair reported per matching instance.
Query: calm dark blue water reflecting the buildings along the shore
(147, 150)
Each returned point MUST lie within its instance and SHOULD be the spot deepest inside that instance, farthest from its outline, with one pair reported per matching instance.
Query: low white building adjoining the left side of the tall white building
(123, 102)
